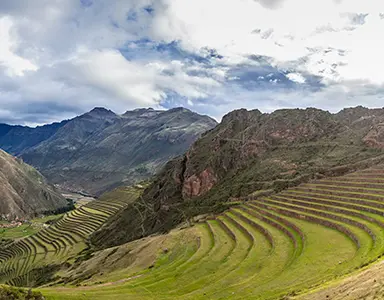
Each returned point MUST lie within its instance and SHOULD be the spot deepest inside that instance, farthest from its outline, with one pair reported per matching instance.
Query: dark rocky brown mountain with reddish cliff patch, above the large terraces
(247, 152)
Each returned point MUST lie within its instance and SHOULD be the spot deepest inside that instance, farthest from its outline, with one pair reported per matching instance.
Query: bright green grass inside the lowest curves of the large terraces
(238, 271)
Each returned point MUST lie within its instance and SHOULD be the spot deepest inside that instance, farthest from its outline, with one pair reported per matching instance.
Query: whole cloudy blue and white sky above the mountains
(61, 58)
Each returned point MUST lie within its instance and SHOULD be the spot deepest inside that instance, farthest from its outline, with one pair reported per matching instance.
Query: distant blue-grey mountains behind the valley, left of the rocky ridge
(100, 150)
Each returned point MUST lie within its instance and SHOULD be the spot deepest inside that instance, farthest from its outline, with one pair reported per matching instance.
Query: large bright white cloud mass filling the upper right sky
(238, 28)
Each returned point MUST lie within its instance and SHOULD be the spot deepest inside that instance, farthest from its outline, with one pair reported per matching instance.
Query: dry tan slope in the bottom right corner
(367, 285)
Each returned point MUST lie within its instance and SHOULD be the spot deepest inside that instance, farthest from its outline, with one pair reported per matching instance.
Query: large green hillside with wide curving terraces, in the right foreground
(267, 248)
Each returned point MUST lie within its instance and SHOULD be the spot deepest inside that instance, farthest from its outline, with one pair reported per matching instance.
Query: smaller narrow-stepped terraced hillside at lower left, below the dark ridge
(25, 260)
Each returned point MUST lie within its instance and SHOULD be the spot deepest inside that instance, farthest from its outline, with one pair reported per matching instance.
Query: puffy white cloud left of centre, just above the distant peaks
(142, 84)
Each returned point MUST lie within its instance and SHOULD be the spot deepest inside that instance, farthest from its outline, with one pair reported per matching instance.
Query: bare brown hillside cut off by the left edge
(24, 192)
